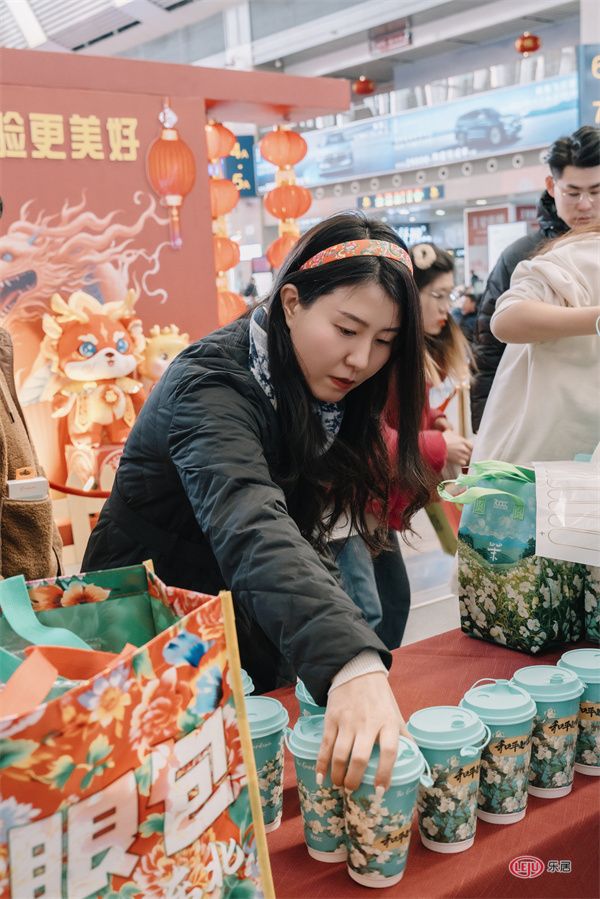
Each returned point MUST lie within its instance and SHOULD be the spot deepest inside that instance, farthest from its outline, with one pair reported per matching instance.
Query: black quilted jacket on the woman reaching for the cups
(194, 492)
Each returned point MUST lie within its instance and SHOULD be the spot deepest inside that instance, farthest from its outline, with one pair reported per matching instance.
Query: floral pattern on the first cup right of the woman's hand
(448, 809)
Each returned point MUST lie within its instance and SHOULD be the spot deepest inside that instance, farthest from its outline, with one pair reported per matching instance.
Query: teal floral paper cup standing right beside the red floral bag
(268, 719)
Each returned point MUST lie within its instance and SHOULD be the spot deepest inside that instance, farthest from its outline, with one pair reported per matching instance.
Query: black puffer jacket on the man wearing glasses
(487, 349)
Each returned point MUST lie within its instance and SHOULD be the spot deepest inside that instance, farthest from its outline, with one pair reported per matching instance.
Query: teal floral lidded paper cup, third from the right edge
(509, 712)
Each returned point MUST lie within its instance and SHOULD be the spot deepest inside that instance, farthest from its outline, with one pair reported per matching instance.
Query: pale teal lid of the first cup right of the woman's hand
(446, 727)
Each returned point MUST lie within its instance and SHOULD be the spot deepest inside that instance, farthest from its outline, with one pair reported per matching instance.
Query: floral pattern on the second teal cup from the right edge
(553, 751)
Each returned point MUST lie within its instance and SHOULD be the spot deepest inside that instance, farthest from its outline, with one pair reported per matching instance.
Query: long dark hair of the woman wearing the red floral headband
(356, 469)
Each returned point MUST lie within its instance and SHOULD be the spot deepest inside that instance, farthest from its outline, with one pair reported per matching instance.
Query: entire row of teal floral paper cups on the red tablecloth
(505, 739)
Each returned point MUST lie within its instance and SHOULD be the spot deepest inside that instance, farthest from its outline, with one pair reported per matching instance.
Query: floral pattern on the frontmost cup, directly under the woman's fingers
(371, 828)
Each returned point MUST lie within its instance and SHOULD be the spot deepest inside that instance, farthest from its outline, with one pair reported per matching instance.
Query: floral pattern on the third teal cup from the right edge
(504, 775)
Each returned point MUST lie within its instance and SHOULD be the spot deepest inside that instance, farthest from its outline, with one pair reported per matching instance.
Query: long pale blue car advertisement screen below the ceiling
(505, 120)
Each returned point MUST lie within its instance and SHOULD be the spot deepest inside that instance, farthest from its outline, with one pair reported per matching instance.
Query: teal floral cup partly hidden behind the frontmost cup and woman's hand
(321, 805)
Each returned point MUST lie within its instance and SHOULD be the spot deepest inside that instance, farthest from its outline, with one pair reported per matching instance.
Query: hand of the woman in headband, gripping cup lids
(359, 714)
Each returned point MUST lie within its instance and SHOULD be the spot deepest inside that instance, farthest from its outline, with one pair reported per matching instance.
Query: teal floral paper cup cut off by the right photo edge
(586, 665)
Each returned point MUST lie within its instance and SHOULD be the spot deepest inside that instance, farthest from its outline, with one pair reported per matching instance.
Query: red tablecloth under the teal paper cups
(436, 672)
